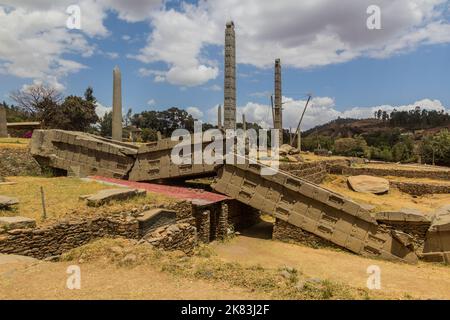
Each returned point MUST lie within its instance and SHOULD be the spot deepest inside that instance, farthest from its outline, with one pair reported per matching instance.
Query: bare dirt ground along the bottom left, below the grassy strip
(21, 279)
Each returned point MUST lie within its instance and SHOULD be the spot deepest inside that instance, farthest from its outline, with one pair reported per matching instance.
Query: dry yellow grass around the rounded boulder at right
(393, 200)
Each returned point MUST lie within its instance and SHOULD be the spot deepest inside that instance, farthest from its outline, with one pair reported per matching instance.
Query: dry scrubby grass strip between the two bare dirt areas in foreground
(282, 283)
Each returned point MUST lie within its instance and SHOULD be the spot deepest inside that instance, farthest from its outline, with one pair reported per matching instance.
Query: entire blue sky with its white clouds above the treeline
(171, 54)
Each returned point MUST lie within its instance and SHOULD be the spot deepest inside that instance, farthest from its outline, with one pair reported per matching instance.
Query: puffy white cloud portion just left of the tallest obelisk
(177, 39)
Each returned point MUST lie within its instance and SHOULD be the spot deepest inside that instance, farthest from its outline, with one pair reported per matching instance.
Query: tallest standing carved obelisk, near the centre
(229, 104)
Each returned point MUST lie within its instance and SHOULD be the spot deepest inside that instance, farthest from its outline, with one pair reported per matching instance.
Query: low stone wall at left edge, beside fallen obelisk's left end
(17, 162)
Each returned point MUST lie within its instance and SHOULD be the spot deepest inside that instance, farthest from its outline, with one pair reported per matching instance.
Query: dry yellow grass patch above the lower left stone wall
(62, 198)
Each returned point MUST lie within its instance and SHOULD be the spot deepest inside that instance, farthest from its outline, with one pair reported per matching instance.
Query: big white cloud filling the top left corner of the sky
(35, 40)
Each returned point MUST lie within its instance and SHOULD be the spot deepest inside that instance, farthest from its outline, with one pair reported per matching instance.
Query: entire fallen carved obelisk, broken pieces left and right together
(287, 197)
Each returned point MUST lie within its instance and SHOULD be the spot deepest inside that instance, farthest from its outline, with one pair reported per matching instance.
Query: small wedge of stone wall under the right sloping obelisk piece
(284, 231)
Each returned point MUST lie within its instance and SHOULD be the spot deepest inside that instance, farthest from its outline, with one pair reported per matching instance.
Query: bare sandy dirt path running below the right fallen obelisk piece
(424, 280)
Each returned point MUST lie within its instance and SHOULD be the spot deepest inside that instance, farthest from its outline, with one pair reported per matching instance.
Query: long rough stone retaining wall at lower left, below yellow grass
(55, 239)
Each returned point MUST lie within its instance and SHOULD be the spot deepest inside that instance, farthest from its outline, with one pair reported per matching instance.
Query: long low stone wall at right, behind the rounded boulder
(349, 171)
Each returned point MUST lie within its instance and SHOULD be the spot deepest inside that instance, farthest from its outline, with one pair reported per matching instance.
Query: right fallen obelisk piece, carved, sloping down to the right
(312, 208)
